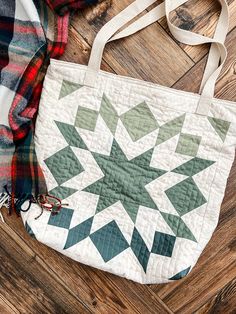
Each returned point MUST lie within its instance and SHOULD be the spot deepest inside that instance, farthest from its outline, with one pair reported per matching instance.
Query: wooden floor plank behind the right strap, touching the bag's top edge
(225, 87)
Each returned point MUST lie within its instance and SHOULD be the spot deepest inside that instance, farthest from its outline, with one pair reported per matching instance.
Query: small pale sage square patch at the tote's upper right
(188, 144)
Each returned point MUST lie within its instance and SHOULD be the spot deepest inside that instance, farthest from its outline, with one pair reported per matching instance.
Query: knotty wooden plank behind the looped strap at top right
(199, 16)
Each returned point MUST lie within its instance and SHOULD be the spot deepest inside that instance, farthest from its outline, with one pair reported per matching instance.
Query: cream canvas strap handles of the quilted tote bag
(217, 53)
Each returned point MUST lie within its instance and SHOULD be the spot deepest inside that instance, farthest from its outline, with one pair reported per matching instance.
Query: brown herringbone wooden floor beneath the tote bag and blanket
(36, 279)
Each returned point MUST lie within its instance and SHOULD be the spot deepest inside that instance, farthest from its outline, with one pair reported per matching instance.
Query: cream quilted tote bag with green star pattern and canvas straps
(141, 169)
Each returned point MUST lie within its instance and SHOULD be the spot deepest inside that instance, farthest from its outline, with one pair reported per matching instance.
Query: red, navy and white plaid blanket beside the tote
(30, 34)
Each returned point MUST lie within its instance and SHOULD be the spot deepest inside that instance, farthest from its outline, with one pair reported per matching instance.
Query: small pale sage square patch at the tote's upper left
(86, 118)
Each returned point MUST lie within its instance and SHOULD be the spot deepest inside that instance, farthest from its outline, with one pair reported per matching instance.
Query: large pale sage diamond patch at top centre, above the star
(139, 121)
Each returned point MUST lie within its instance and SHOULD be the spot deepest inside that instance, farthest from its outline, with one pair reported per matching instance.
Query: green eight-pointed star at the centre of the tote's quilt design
(124, 180)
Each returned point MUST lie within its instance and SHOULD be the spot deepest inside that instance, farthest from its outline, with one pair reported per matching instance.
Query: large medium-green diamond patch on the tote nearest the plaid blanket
(64, 165)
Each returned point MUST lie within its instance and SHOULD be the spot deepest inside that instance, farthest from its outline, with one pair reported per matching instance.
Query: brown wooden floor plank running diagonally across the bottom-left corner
(29, 286)
